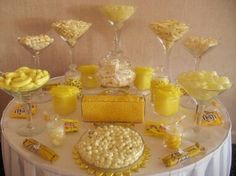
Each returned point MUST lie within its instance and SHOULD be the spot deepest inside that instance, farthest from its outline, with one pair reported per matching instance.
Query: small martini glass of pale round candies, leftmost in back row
(35, 44)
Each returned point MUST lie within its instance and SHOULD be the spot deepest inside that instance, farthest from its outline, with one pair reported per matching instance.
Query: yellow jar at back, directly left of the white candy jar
(88, 76)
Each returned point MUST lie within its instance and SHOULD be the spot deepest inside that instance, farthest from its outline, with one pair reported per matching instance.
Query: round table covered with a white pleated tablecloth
(20, 162)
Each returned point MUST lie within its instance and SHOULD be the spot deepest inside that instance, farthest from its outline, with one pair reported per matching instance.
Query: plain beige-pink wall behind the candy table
(216, 18)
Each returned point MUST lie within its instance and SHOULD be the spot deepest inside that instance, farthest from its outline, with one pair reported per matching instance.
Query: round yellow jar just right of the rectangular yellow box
(166, 99)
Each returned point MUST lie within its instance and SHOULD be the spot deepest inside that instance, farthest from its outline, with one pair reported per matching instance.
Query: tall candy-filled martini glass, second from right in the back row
(168, 32)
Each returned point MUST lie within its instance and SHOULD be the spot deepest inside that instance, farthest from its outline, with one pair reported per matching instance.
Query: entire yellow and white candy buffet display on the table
(102, 104)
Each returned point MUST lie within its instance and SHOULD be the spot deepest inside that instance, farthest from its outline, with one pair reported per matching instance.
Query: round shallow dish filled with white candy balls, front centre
(111, 147)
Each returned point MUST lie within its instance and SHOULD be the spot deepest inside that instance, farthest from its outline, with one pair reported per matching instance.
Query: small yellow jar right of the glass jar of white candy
(143, 78)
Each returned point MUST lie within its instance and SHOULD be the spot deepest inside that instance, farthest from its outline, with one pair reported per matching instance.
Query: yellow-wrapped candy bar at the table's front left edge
(40, 149)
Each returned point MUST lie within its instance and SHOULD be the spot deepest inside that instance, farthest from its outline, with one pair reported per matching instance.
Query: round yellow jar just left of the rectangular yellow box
(64, 99)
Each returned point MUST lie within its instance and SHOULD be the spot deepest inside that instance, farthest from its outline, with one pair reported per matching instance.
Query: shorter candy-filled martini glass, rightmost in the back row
(198, 46)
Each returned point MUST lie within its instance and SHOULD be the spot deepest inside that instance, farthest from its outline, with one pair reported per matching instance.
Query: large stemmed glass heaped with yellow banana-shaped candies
(24, 95)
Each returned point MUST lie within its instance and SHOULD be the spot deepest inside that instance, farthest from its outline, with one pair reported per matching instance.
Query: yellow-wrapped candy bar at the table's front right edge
(178, 156)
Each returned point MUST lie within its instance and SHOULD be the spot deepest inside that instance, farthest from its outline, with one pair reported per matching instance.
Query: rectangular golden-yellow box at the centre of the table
(113, 108)
